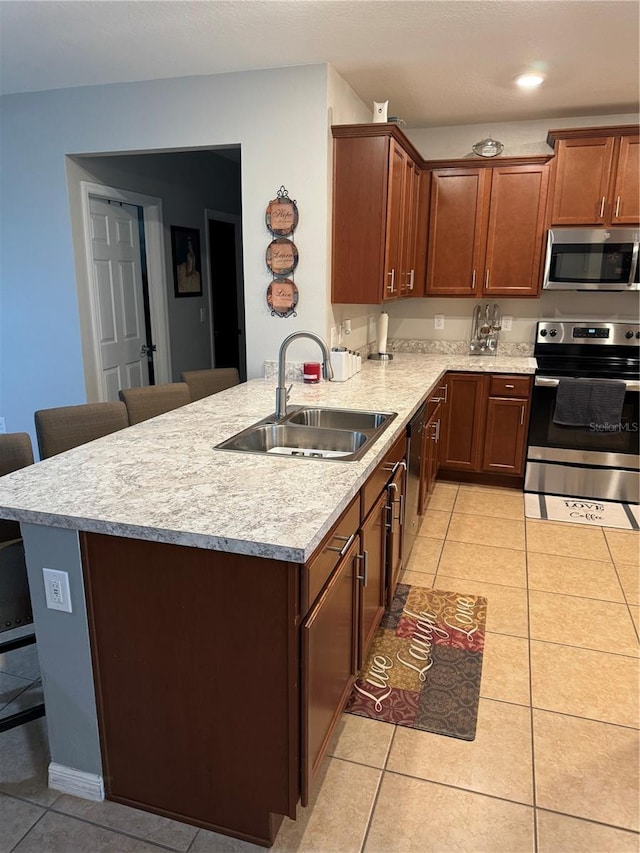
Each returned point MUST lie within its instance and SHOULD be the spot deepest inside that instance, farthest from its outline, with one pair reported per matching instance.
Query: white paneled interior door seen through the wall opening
(117, 281)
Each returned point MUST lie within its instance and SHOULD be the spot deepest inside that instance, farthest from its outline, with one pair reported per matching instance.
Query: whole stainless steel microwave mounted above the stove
(592, 259)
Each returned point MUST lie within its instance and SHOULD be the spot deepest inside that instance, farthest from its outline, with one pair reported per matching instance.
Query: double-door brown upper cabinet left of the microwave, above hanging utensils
(486, 230)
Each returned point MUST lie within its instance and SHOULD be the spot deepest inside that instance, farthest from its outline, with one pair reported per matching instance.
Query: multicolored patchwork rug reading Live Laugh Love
(424, 666)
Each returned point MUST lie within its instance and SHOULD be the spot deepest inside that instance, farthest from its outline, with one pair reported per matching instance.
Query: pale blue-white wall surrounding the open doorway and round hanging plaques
(278, 117)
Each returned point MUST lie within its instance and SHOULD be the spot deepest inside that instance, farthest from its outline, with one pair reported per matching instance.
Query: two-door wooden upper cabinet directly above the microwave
(595, 176)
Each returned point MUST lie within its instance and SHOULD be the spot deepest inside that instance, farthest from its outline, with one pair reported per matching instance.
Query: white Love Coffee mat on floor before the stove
(582, 511)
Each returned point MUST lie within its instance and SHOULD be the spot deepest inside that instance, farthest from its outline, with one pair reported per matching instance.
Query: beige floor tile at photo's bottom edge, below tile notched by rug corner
(414, 816)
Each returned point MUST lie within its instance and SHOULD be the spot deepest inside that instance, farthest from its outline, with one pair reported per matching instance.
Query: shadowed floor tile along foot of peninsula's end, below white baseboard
(153, 828)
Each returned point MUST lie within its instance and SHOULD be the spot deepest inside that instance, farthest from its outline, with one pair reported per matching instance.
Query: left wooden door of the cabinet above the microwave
(581, 180)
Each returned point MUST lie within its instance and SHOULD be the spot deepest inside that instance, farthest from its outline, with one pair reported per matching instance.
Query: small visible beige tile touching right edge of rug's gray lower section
(505, 669)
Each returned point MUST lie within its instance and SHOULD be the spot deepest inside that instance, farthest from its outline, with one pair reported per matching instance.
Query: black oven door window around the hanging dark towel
(607, 438)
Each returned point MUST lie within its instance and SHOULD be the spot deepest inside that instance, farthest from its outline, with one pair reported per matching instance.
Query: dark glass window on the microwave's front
(590, 263)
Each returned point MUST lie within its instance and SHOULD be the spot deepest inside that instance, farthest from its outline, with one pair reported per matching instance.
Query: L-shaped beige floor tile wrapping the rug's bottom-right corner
(497, 762)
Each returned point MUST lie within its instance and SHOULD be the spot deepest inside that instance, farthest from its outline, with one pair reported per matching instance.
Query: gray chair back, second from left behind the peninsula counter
(65, 427)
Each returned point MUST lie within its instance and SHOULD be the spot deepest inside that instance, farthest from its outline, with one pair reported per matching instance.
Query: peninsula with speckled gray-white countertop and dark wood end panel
(180, 679)
